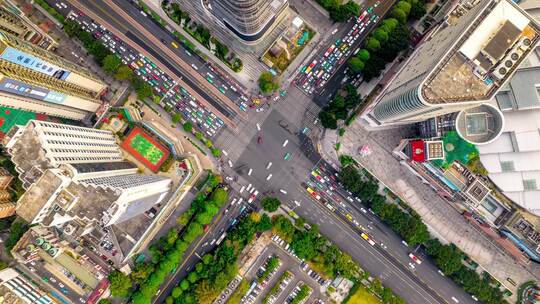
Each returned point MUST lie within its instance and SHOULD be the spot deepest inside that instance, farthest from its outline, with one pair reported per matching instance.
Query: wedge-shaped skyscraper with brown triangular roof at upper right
(460, 64)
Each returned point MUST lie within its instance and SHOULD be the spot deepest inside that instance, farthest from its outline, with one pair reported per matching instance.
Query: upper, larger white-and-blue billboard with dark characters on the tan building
(32, 62)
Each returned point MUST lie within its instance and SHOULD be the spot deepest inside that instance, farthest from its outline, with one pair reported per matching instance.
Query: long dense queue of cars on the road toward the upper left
(174, 96)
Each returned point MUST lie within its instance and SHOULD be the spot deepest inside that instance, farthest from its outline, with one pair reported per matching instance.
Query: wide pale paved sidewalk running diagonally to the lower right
(437, 214)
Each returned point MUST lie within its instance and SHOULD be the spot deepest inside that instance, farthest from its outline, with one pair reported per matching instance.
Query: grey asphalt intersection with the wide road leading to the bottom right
(286, 121)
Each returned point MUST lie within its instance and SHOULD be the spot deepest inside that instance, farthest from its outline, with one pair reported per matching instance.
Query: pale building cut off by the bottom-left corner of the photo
(16, 289)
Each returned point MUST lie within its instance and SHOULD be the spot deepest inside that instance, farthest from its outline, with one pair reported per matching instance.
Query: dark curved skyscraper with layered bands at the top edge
(249, 20)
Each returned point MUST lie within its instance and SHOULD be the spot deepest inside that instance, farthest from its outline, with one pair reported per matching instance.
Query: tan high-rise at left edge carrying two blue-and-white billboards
(37, 80)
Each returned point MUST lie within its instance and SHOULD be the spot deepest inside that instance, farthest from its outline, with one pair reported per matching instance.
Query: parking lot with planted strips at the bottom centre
(282, 283)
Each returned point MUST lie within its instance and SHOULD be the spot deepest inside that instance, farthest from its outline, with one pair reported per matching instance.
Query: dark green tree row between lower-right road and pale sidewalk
(411, 228)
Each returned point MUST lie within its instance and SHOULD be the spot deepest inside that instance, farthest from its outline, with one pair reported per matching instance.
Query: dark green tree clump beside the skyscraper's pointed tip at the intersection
(340, 107)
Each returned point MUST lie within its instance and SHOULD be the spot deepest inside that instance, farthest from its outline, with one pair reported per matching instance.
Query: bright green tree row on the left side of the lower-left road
(145, 280)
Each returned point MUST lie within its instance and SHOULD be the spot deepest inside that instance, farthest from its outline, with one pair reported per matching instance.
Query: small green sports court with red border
(145, 149)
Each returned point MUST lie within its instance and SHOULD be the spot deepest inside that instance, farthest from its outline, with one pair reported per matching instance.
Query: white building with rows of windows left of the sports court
(40, 145)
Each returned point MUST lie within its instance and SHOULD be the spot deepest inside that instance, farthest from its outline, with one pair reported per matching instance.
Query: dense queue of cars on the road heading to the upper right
(317, 73)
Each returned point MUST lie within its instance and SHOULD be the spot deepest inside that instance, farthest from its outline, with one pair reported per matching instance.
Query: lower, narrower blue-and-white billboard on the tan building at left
(31, 91)
